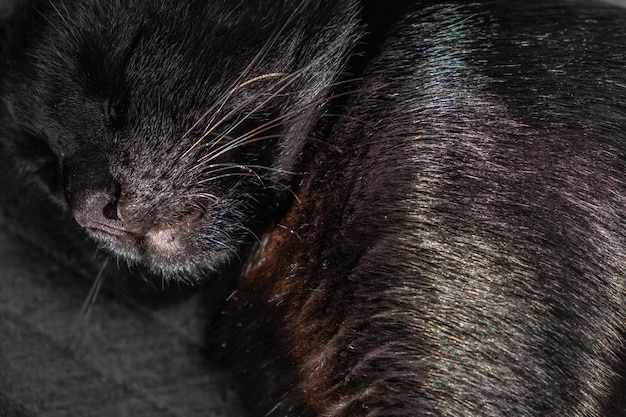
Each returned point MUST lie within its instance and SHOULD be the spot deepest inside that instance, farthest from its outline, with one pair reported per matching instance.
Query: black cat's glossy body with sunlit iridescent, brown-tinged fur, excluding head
(457, 248)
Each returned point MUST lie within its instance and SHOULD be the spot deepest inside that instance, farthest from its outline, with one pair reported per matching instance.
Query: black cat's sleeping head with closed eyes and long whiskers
(172, 128)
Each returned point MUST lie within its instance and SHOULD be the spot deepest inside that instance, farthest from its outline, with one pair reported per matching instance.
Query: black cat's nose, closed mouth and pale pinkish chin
(186, 240)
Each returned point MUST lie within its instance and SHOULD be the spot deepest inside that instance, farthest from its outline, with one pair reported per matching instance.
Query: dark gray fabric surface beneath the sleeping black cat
(135, 356)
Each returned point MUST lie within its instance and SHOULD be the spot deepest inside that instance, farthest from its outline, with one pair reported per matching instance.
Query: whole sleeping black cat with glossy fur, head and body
(423, 202)
